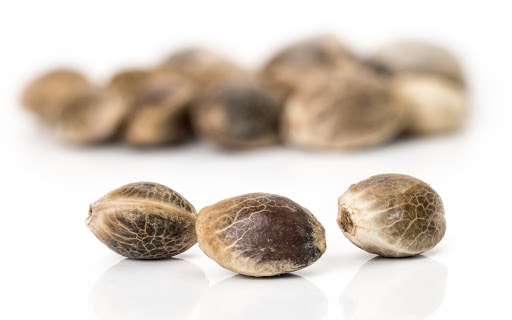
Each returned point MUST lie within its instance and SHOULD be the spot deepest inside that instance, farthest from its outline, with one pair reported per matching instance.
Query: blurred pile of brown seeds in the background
(315, 93)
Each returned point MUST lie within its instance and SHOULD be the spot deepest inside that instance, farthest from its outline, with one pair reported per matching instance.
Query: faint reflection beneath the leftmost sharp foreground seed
(134, 289)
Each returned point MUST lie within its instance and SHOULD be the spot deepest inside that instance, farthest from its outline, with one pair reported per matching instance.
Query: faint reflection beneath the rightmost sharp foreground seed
(386, 289)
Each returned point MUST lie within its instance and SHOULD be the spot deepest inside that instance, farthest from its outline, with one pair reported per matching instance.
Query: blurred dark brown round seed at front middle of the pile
(237, 114)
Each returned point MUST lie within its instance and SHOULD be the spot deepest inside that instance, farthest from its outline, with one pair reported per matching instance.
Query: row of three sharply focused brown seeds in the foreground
(261, 234)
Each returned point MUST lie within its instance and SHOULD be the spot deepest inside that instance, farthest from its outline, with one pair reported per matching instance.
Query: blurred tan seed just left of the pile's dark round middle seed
(160, 113)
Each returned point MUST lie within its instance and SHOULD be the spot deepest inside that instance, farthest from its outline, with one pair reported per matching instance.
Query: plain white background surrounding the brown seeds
(52, 267)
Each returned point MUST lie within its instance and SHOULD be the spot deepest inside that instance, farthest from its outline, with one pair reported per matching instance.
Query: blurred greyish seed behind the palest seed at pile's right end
(410, 56)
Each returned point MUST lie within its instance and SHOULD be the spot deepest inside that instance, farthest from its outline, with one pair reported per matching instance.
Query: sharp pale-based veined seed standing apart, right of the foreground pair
(392, 215)
